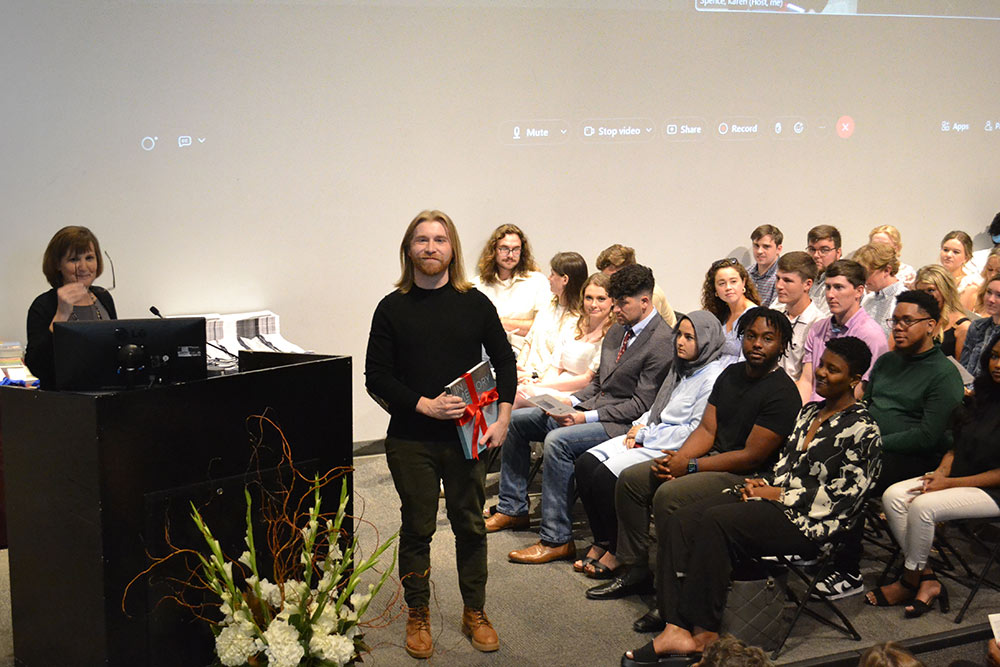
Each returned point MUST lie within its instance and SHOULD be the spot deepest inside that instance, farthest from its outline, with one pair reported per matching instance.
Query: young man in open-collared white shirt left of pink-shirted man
(796, 273)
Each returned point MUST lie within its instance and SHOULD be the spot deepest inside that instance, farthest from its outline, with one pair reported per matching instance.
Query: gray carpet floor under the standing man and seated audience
(540, 611)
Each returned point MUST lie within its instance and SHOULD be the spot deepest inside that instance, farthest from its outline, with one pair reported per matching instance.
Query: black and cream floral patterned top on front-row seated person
(824, 485)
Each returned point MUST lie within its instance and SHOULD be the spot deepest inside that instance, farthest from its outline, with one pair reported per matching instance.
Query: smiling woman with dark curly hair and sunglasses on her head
(727, 293)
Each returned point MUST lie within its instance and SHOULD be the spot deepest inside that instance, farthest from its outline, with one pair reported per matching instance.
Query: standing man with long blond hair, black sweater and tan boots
(424, 335)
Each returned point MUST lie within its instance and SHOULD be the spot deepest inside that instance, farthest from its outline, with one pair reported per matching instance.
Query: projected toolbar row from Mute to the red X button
(531, 132)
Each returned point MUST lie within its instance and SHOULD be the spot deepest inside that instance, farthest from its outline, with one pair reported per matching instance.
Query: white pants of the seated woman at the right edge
(912, 516)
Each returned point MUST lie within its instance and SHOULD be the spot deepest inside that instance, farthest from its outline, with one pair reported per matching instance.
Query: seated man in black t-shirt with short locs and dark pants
(750, 412)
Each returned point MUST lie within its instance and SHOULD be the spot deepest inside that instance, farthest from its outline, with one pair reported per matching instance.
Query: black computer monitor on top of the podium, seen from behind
(114, 354)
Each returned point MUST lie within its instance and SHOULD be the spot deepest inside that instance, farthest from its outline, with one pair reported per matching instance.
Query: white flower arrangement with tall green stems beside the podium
(307, 621)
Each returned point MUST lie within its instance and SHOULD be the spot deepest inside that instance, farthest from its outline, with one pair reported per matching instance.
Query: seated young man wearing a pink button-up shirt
(845, 285)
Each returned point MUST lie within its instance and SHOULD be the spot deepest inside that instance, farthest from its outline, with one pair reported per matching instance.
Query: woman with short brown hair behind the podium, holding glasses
(71, 263)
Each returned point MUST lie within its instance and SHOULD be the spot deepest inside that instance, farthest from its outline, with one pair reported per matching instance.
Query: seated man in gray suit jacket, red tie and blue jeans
(635, 357)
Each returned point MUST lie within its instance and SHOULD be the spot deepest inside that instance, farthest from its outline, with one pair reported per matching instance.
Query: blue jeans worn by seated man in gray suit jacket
(562, 446)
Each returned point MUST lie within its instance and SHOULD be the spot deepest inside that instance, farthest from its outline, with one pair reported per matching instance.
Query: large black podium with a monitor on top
(92, 479)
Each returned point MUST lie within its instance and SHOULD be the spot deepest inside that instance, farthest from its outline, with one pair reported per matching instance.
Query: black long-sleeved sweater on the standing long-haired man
(421, 341)
